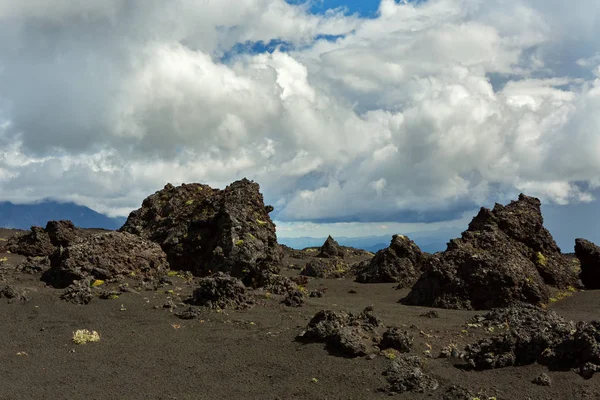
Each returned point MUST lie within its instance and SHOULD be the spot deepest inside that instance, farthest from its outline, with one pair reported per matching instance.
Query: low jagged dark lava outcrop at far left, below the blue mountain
(40, 242)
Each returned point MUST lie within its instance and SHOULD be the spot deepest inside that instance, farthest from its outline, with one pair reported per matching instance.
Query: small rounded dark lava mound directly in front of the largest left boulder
(220, 291)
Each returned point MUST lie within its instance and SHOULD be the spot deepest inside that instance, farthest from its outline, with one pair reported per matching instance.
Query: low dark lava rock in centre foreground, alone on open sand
(344, 334)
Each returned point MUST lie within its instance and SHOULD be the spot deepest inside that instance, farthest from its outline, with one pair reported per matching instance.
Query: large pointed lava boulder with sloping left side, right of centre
(505, 256)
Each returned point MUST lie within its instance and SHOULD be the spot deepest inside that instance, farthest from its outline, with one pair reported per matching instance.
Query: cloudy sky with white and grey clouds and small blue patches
(353, 116)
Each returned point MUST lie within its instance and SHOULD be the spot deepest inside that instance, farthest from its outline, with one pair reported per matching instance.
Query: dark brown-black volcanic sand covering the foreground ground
(146, 352)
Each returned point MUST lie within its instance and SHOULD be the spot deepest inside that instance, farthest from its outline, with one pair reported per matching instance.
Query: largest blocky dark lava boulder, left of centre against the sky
(206, 230)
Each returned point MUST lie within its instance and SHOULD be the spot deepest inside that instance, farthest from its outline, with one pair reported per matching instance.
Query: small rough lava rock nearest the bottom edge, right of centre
(406, 375)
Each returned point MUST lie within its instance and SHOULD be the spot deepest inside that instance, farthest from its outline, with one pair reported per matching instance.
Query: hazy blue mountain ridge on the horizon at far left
(23, 216)
